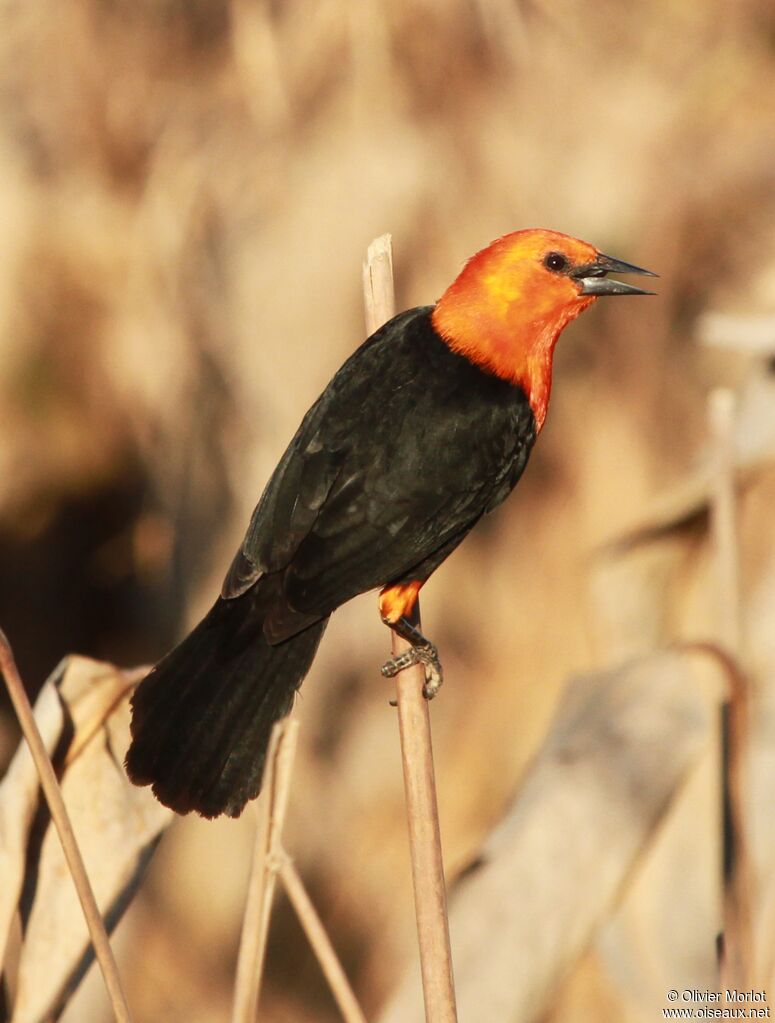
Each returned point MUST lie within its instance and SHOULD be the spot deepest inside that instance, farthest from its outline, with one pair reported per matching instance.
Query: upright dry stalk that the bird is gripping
(417, 751)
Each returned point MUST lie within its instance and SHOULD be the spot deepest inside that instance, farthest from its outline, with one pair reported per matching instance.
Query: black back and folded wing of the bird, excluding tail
(403, 453)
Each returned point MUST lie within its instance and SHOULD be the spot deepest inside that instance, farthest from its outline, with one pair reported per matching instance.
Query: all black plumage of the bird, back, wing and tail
(408, 447)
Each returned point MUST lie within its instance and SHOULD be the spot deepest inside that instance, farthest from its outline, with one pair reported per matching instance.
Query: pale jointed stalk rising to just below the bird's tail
(267, 858)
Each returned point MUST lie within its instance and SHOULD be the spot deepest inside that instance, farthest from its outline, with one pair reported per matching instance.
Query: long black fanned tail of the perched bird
(202, 720)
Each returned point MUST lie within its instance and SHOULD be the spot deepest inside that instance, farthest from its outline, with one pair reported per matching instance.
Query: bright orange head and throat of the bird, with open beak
(511, 302)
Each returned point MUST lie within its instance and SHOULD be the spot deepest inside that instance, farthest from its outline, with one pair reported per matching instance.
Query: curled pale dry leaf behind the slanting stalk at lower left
(83, 711)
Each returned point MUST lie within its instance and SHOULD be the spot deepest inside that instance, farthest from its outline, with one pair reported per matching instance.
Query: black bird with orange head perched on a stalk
(426, 428)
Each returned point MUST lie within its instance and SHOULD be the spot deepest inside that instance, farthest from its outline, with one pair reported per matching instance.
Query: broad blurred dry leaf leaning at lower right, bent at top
(621, 746)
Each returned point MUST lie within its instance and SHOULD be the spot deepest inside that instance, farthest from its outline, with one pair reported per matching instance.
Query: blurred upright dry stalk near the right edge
(737, 959)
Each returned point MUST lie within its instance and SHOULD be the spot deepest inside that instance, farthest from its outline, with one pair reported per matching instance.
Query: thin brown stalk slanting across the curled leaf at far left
(62, 821)
